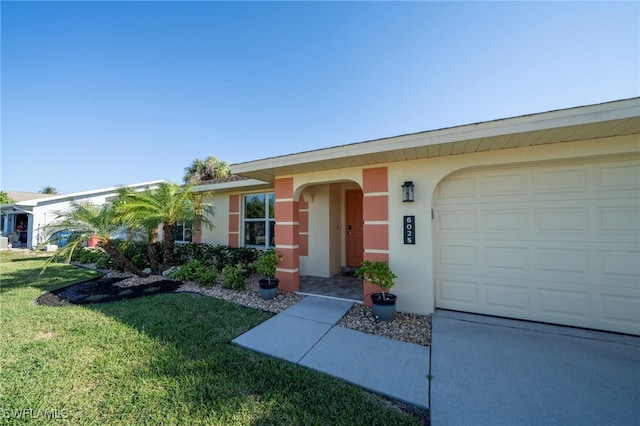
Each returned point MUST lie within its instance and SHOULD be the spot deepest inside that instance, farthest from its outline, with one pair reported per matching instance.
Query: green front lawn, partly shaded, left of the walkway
(162, 359)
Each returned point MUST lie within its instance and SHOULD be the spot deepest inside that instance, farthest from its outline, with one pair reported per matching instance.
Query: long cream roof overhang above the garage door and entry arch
(609, 119)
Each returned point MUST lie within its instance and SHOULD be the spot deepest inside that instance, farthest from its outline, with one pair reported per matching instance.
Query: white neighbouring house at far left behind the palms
(23, 221)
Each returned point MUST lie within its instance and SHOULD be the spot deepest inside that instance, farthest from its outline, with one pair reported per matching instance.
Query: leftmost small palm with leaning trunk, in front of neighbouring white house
(83, 220)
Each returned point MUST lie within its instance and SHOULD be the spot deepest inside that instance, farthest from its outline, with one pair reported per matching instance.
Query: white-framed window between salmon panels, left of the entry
(258, 220)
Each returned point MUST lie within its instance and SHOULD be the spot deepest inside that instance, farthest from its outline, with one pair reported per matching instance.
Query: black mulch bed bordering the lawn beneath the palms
(103, 290)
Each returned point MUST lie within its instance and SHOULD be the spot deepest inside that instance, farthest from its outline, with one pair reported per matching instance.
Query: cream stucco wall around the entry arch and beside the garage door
(414, 263)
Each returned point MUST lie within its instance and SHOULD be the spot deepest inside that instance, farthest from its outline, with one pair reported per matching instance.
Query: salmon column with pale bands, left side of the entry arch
(287, 235)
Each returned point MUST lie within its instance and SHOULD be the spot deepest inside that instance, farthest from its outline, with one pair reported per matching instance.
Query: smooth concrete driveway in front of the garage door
(491, 371)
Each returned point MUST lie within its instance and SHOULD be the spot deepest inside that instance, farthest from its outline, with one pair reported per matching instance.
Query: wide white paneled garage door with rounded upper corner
(556, 243)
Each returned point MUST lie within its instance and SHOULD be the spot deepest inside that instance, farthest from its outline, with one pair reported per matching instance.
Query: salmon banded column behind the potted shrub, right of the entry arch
(375, 214)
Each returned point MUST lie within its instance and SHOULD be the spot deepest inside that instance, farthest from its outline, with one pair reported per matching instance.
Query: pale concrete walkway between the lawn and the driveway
(305, 334)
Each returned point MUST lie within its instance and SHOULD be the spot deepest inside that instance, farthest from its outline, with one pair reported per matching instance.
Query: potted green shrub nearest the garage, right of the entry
(379, 273)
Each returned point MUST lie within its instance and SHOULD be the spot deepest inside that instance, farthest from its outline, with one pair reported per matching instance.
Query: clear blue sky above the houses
(97, 94)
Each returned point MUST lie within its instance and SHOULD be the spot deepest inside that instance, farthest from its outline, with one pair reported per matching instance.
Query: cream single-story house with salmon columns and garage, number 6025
(535, 217)
